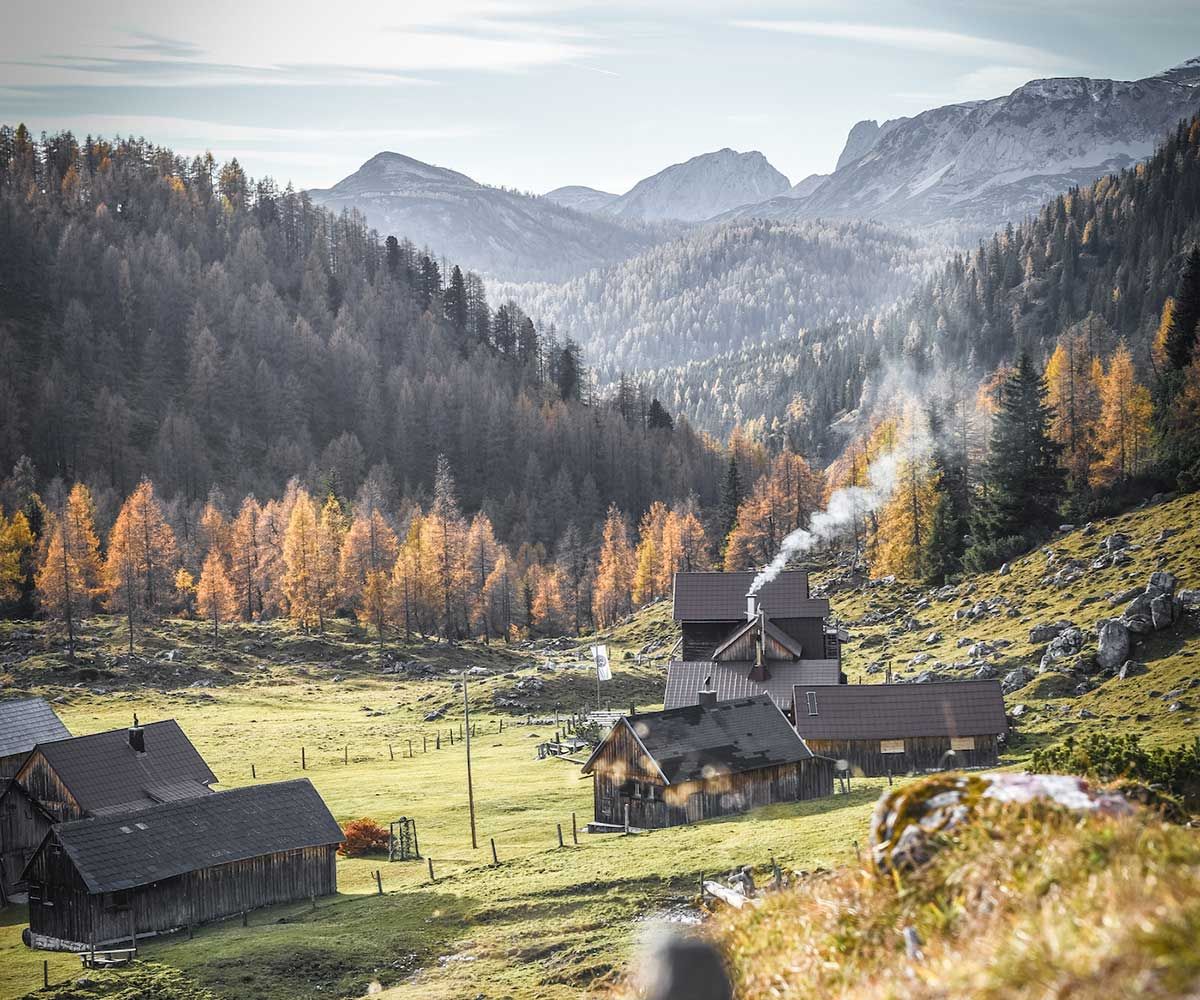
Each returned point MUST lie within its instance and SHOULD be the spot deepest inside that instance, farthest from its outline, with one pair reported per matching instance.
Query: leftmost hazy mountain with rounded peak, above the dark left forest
(489, 230)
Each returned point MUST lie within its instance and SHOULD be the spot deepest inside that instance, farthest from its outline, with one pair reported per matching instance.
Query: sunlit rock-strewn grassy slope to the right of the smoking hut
(1172, 657)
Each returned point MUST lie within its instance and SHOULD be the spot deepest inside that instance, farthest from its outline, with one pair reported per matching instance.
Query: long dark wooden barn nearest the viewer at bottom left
(109, 881)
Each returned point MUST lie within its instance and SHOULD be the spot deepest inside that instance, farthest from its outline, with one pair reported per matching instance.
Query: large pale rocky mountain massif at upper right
(988, 163)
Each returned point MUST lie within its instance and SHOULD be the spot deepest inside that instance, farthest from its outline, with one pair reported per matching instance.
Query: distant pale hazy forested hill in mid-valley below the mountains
(724, 288)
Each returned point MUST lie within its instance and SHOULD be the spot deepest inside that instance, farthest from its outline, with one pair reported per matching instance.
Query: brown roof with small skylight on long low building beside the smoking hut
(899, 711)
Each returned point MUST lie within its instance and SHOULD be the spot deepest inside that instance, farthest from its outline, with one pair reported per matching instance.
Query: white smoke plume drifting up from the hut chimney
(851, 502)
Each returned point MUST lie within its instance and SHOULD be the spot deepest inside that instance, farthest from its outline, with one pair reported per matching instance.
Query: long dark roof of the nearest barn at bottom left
(125, 852)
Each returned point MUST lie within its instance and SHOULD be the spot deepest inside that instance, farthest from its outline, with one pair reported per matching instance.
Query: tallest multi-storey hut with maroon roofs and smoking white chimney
(741, 644)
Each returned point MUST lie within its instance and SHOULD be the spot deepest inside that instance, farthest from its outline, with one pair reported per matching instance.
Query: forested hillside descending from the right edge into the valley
(1103, 259)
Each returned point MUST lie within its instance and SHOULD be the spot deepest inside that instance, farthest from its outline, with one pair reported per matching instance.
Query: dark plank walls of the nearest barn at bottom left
(62, 909)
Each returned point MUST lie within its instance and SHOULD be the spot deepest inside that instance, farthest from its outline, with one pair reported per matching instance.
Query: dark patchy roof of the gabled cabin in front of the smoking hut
(730, 738)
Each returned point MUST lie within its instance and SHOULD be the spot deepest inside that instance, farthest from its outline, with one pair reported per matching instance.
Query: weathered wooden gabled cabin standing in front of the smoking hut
(715, 759)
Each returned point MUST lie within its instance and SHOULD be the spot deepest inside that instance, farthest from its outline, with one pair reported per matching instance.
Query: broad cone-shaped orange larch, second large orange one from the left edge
(140, 571)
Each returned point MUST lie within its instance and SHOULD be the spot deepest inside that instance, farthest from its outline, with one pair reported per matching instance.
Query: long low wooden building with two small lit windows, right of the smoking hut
(880, 729)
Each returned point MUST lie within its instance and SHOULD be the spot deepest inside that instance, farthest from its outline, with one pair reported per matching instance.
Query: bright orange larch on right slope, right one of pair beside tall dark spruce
(1124, 428)
